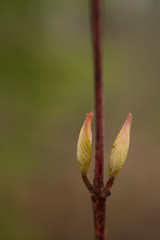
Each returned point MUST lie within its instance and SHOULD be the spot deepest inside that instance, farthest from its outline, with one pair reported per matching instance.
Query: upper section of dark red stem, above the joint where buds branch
(97, 25)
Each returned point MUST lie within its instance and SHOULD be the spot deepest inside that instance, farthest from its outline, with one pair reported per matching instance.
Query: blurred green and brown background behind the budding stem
(46, 88)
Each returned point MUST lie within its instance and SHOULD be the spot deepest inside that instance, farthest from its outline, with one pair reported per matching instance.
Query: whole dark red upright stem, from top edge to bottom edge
(98, 201)
